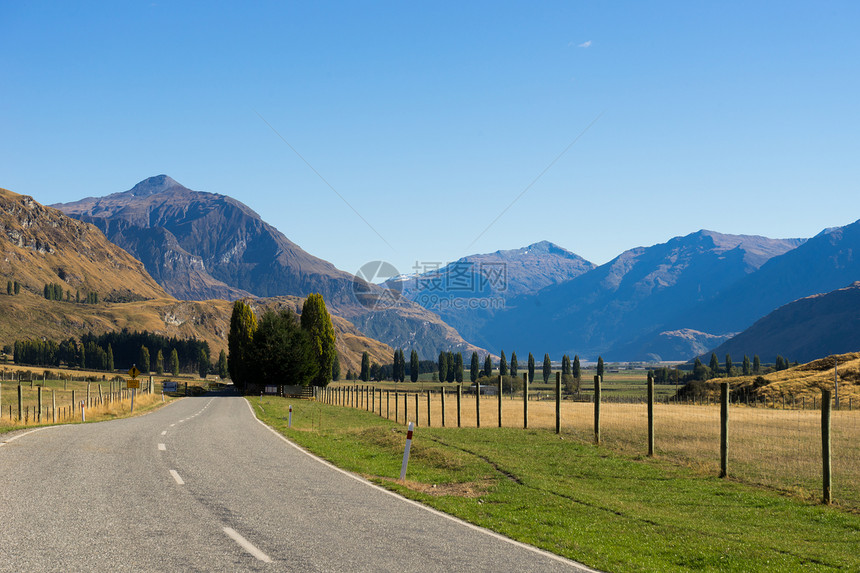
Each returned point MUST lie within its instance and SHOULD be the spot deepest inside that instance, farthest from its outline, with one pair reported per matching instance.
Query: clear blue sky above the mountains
(430, 119)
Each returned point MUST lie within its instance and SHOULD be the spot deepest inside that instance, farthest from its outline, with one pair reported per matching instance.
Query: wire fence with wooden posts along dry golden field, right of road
(773, 444)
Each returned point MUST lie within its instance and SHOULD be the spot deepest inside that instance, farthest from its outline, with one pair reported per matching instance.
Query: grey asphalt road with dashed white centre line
(201, 485)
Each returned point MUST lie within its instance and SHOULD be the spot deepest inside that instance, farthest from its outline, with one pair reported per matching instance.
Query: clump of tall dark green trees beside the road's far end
(281, 349)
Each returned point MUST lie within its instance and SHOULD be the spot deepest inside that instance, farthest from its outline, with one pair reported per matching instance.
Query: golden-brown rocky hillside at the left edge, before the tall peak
(40, 245)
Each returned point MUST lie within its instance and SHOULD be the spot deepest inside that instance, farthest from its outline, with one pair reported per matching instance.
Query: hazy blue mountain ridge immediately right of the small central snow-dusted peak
(602, 311)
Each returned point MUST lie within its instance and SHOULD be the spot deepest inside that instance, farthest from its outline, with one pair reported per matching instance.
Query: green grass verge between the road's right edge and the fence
(609, 511)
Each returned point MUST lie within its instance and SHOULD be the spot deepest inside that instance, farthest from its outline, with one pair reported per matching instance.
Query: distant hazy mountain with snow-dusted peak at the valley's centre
(467, 292)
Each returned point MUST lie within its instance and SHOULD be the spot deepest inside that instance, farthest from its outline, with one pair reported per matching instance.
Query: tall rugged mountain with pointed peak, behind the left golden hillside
(202, 245)
